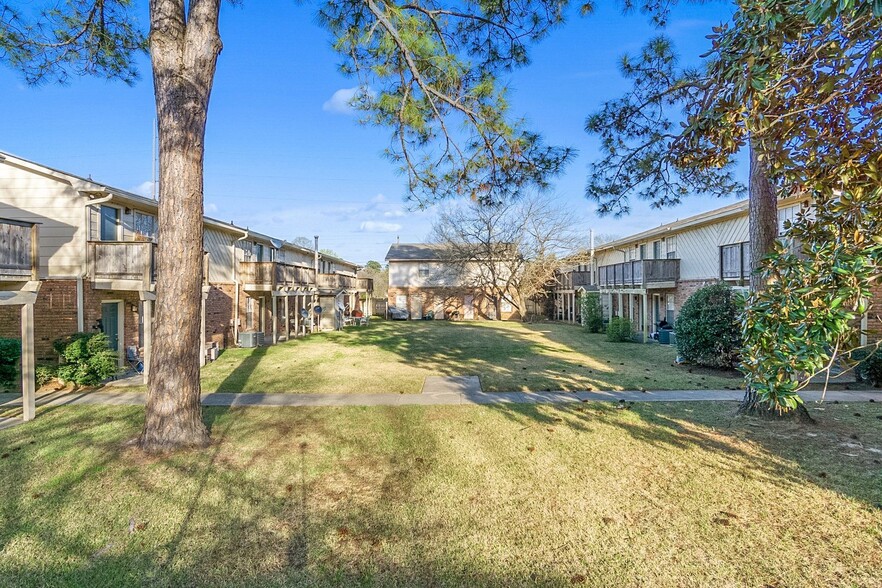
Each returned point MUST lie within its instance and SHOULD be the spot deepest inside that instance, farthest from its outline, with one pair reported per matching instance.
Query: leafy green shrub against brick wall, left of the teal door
(88, 360)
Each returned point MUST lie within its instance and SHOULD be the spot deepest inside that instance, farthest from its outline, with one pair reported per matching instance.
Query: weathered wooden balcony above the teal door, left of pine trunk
(123, 265)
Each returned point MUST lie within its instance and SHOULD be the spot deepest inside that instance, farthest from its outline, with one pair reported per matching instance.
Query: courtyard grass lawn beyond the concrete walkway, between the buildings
(397, 356)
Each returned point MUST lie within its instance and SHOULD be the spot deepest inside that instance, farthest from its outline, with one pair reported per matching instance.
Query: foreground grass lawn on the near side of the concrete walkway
(657, 495)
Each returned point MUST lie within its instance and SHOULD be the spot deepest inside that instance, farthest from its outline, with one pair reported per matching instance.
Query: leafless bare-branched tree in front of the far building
(509, 252)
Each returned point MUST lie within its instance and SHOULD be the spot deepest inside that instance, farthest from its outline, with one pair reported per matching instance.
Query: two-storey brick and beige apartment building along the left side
(96, 262)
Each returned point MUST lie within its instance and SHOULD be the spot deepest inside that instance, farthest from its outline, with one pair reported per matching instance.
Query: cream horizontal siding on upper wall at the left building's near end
(57, 206)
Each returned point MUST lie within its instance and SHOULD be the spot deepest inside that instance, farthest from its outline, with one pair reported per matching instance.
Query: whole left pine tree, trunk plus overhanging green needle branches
(434, 71)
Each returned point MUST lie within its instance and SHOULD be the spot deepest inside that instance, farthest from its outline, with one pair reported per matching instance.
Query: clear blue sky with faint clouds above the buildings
(284, 156)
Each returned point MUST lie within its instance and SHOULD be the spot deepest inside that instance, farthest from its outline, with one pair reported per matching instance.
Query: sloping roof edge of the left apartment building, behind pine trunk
(90, 186)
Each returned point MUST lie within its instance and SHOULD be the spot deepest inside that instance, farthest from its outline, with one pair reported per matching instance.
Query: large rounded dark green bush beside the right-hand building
(709, 327)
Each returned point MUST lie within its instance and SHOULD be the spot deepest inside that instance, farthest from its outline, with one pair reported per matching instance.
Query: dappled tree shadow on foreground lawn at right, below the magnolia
(842, 452)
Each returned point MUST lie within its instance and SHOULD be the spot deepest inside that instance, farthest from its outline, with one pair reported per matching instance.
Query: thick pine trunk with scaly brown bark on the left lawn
(184, 50)
